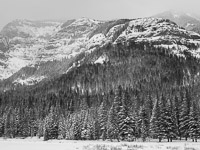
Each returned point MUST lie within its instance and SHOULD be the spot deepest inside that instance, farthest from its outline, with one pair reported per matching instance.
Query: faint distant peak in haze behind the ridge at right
(187, 20)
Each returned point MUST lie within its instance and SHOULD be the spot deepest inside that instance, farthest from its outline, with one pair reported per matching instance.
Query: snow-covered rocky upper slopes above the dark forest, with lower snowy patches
(85, 35)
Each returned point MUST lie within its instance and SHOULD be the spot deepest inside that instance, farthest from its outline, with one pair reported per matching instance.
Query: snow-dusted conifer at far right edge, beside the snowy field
(194, 126)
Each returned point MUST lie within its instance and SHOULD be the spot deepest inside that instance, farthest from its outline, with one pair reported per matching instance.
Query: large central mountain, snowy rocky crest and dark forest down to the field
(97, 77)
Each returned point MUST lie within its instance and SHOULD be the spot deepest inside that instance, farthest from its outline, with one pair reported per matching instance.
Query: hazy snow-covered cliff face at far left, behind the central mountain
(24, 39)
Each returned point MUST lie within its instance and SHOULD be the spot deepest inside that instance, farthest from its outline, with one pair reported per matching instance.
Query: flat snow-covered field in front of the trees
(39, 144)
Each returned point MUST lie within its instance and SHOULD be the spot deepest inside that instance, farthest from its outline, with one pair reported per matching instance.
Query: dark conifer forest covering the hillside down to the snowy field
(136, 91)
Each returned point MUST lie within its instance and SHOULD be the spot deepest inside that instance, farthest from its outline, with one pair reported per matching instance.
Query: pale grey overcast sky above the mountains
(96, 9)
